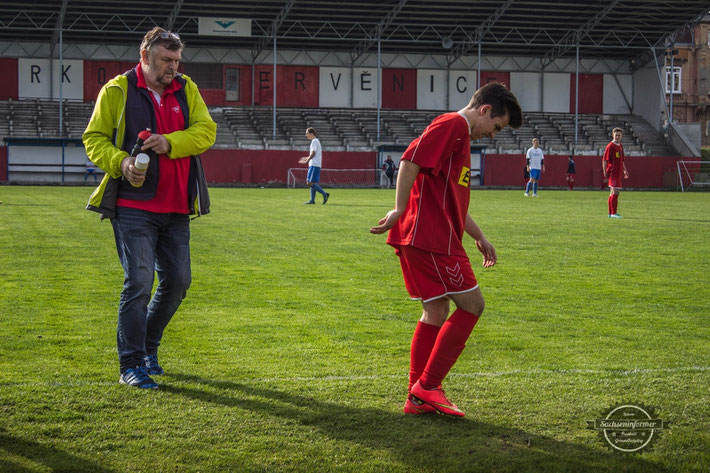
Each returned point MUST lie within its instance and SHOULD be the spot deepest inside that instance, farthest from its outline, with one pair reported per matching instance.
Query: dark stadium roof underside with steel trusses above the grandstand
(612, 29)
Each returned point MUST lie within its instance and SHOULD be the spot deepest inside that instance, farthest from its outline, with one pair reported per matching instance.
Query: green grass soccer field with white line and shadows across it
(291, 351)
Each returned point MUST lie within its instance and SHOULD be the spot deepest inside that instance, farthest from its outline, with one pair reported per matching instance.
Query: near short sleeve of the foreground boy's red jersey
(431, 149)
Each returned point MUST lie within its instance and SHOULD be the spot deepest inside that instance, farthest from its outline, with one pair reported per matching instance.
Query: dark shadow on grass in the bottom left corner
(51, 458)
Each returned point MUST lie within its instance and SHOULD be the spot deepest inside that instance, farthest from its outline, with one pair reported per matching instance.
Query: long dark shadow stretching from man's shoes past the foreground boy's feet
(430, 442)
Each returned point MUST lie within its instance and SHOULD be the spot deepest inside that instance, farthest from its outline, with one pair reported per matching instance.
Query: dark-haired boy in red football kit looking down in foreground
(426, 228)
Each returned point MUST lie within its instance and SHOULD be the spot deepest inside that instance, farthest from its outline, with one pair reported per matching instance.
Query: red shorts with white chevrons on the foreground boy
(429, 276)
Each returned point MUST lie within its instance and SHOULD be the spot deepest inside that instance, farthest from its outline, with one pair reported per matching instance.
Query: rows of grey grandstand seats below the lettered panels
(353, 130)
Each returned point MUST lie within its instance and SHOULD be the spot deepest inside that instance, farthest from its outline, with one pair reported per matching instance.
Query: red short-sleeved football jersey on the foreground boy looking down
(435, 216)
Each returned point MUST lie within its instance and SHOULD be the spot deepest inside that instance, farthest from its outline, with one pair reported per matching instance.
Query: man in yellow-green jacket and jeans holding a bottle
(149, 209)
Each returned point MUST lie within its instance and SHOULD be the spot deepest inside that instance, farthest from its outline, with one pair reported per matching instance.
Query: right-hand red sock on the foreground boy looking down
(449, 345)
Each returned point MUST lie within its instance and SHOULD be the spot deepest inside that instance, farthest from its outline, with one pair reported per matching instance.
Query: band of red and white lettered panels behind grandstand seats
(338, 87)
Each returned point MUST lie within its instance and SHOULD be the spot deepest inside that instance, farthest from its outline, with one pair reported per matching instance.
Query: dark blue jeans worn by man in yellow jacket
(149, 243)
